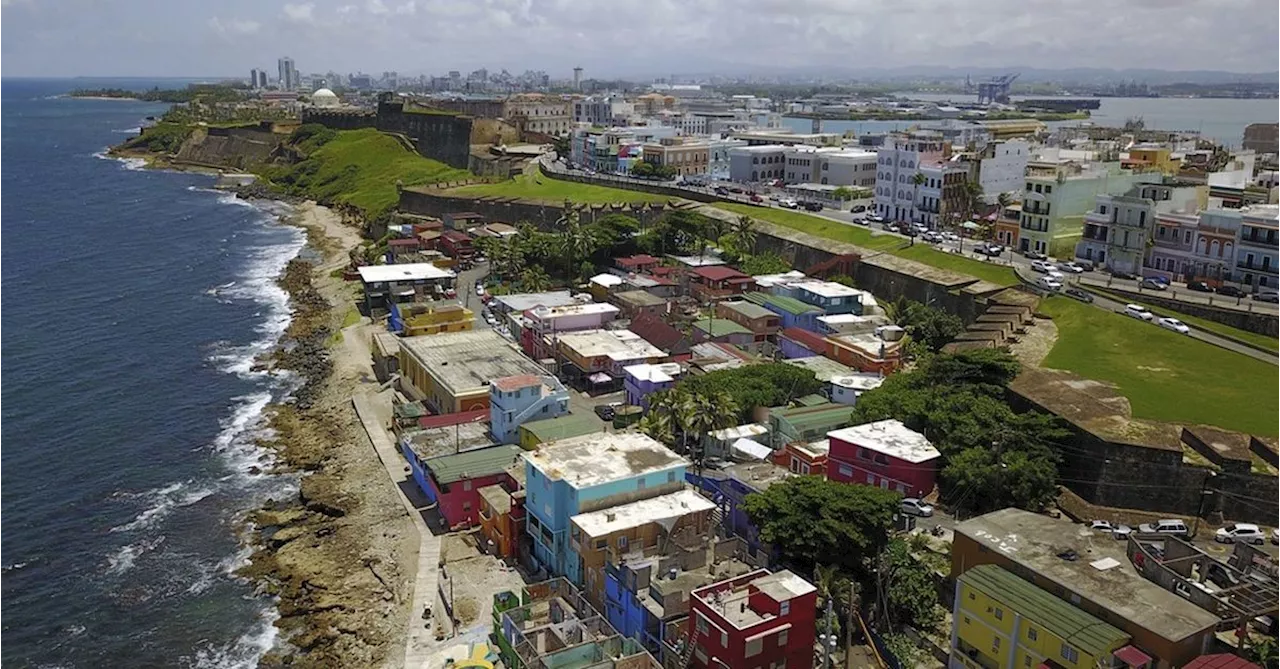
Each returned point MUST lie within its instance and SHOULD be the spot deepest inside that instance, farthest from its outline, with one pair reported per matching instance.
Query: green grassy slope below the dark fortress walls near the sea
(359, 168)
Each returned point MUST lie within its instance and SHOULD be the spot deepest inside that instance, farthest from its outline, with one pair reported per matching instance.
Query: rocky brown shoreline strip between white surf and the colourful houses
(341, 558)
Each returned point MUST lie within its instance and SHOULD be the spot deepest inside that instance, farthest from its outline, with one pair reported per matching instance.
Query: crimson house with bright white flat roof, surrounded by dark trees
(884, 453)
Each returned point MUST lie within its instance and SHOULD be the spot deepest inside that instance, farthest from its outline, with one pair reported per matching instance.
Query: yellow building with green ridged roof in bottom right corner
(1004, 622)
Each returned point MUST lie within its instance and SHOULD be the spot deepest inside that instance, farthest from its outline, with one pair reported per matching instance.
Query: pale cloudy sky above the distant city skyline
(629, 38)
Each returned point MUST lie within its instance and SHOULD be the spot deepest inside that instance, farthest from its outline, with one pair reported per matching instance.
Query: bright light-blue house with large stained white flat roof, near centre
(587, 474)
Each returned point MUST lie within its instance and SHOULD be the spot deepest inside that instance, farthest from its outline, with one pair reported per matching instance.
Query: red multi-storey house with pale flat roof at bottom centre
(757, 620)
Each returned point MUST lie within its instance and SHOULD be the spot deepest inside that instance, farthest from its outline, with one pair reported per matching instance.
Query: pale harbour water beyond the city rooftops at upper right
(1222, 121)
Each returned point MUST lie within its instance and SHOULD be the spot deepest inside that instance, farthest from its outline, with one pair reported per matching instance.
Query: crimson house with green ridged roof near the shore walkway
(455, 482)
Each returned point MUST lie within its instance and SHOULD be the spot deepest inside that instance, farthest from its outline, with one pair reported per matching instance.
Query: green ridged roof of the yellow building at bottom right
(1073, 626)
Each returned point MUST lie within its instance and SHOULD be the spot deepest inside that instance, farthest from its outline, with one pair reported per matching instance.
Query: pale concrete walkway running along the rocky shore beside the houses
(420, 645)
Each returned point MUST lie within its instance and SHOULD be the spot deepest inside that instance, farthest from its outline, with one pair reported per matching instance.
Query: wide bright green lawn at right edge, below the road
(1165, 375)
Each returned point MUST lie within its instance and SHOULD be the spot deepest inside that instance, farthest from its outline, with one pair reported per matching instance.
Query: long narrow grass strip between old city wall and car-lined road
(863, 237)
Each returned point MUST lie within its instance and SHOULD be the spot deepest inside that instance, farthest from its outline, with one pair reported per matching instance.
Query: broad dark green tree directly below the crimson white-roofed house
(815, 521)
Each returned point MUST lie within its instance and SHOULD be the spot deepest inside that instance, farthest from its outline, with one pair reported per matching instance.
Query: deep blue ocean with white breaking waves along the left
(132, 306)
